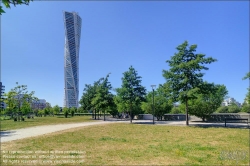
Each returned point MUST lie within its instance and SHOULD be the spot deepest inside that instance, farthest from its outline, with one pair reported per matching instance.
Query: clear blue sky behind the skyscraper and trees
(115, 35)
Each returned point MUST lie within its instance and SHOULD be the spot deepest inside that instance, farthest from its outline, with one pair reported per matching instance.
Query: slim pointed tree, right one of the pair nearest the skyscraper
(103, 97)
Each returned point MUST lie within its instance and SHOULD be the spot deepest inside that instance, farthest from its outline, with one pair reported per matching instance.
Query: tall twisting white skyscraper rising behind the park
(72, 24)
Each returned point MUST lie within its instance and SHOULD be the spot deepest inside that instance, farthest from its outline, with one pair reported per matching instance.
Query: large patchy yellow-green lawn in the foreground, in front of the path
(134, 144)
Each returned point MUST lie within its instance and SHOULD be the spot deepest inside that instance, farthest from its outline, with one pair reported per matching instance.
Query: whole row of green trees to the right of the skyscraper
(184, 85)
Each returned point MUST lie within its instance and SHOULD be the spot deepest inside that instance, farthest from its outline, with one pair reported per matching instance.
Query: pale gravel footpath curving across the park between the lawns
(12, 135)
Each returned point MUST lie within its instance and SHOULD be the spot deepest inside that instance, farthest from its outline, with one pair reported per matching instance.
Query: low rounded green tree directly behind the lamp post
(162, 104)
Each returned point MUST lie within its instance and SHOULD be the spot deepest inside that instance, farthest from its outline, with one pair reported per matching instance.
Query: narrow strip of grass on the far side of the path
(38, 121)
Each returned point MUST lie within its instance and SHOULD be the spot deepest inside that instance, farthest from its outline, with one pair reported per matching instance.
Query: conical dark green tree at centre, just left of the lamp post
(131, 93)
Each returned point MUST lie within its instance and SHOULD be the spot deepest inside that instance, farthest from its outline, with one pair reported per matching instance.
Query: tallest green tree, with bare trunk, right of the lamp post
(184, 76)
